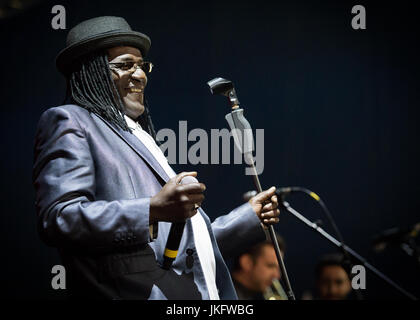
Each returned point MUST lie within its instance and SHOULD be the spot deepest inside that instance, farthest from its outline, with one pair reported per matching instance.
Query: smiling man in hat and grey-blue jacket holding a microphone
(105, 193)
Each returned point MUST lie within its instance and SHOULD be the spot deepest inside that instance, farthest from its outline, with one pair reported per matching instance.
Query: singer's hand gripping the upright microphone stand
(265, 205)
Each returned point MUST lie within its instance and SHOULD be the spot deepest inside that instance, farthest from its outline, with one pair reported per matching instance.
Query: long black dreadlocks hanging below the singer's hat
(90, 85)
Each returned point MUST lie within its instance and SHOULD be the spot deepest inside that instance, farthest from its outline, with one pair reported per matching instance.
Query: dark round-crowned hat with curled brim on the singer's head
(99, 33)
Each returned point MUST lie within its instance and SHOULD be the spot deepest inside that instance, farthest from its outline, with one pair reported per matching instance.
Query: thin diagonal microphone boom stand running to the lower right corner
(284, 205)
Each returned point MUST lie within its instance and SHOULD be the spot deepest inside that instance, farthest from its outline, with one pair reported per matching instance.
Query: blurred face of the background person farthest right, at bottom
(333, 283)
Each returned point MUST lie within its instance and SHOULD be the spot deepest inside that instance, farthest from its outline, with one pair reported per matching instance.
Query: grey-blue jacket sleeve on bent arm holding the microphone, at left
(64, 182)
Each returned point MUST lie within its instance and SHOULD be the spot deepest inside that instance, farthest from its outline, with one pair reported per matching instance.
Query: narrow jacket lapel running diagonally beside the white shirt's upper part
(139, 148)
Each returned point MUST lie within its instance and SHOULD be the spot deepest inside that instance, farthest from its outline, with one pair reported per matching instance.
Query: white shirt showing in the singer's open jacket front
(202, 239)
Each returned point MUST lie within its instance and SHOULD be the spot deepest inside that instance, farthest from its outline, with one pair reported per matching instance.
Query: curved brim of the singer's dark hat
(67, 56)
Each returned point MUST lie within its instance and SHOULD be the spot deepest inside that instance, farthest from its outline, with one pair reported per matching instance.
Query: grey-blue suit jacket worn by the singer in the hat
(93, 185)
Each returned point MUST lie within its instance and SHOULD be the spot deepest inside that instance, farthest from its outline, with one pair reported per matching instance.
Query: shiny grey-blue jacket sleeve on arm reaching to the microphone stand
(237, 230)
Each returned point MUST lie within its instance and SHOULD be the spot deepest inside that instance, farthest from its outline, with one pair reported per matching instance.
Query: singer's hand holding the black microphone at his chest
(176, 202)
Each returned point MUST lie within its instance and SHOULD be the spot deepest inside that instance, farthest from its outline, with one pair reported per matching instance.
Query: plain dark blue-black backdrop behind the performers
(338, 106)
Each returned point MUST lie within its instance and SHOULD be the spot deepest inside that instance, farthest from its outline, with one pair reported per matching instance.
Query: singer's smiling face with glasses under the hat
(130, 84)
